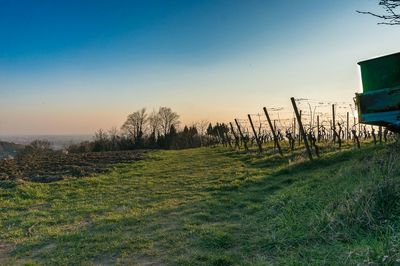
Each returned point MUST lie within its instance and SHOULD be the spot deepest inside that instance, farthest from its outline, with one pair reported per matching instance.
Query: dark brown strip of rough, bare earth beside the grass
(48, 166)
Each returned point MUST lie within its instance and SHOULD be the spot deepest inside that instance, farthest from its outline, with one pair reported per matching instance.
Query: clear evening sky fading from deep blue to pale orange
(72, 67)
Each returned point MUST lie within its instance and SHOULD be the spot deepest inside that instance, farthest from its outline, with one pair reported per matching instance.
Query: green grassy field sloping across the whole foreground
(211, 206)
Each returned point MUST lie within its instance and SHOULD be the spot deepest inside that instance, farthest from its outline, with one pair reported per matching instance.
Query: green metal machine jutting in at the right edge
(379, 104)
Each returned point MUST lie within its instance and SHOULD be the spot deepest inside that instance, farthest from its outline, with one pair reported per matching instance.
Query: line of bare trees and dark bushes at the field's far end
(156, 130)
